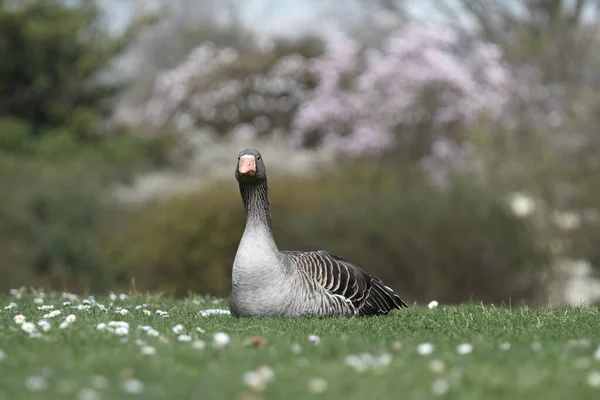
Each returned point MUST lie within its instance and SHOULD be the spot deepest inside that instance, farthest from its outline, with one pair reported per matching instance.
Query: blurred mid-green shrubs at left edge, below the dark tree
(54, 205)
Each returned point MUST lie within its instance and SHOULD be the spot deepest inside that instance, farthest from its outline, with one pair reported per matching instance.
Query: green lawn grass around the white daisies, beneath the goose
(558, 365)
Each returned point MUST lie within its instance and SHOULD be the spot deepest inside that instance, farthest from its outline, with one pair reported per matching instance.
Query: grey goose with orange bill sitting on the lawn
(267, 282)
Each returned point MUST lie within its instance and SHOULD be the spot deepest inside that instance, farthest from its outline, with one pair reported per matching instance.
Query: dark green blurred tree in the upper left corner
(52, 55)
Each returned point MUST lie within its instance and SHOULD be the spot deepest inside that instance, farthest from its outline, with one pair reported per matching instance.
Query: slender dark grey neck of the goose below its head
(258, 213)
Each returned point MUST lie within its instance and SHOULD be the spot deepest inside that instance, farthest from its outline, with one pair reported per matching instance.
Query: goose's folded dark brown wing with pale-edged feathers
(340, 277)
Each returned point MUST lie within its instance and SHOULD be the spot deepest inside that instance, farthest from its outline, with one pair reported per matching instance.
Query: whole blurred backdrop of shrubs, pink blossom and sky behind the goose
(452, 148)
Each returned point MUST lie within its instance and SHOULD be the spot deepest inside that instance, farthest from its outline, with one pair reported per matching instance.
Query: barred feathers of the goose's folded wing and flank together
(340, 287)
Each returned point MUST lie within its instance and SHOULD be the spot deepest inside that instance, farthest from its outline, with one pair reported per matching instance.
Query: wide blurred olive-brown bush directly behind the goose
(426, 242)
